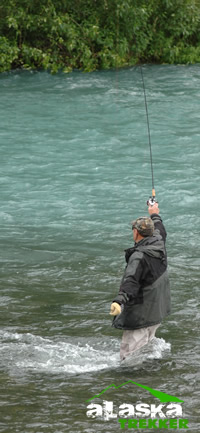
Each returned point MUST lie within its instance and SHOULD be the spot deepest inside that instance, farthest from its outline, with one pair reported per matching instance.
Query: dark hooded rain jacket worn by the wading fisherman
(144, 293)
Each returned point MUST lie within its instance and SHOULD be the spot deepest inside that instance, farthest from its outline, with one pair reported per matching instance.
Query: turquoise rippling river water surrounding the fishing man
(74, 171)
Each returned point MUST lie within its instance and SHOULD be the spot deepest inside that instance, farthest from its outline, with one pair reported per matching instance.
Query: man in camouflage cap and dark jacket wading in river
(144, 296)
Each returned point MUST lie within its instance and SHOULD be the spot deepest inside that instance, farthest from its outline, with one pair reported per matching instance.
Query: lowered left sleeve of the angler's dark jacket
(131, 280)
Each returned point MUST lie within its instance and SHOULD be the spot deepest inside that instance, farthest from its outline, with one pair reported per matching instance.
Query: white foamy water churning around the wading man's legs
(27, 352)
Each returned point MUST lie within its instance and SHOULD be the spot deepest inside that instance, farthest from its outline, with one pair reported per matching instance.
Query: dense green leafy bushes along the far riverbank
(97, 34)
